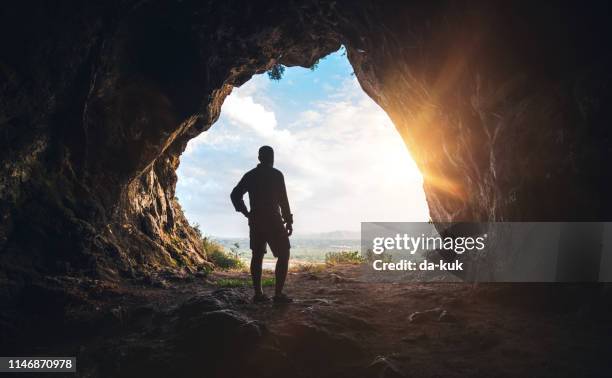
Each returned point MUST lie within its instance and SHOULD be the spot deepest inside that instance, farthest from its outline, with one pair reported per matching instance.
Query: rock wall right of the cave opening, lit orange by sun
(502, 105)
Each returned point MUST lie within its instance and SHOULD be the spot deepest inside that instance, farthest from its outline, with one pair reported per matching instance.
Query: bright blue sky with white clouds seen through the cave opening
(342, 158)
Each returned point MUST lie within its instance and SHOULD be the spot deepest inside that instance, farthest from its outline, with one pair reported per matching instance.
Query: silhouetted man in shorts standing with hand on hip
(270, 220)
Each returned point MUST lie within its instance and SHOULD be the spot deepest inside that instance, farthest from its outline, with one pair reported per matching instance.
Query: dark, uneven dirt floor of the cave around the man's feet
(338, 327)
